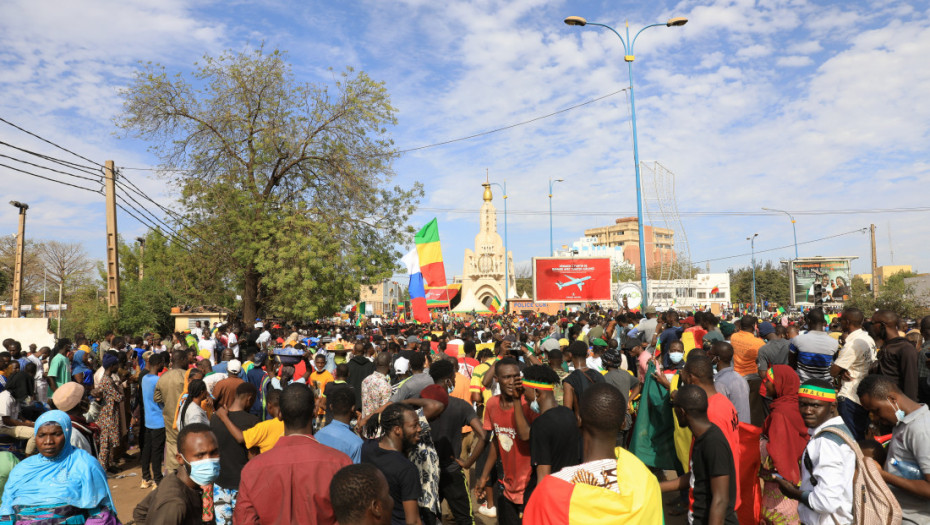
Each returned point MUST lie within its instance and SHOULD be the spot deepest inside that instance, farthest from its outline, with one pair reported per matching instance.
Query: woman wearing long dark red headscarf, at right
(784, 437)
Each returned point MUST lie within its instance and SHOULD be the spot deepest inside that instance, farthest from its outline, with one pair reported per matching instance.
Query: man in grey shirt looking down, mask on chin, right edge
(907, 467)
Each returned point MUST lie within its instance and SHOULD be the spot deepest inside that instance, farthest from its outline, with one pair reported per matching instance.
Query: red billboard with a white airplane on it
(571, 280)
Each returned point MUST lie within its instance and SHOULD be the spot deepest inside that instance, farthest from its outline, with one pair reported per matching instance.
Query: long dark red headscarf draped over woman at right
(787, 434)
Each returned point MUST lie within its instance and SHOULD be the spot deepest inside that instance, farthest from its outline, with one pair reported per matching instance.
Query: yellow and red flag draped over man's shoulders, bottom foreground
(559, 502)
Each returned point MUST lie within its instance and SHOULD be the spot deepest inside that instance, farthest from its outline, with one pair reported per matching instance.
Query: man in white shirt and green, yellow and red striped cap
(827, 465)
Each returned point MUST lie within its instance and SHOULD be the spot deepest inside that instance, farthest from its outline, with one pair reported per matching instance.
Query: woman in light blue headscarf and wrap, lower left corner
(60, 484)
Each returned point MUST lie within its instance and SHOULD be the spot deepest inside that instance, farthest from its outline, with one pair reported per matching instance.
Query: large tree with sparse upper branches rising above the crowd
(287, 183)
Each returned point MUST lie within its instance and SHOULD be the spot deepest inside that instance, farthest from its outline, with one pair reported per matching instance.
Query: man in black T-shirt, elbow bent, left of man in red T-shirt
(446, 431)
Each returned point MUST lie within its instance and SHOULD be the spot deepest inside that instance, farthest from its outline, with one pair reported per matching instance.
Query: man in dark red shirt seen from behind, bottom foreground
(290, 483)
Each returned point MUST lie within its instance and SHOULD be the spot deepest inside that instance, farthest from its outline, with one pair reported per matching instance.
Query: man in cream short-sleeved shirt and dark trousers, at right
(851, 366)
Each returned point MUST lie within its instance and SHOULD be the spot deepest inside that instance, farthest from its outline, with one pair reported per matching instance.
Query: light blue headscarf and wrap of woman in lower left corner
(73, 477)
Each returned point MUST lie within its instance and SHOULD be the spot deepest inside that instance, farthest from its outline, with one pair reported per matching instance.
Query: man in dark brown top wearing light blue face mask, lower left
(178, 498)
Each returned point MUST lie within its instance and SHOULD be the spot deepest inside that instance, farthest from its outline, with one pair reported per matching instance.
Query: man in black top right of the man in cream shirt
(897, 358)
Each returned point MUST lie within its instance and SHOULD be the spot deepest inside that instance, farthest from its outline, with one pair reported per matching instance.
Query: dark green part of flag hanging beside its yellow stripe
(653, 432)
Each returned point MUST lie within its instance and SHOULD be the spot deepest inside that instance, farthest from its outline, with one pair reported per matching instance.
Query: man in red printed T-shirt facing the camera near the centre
(512, 438)
